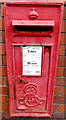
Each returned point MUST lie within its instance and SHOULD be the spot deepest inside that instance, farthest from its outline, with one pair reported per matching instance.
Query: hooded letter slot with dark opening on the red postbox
(33, 28)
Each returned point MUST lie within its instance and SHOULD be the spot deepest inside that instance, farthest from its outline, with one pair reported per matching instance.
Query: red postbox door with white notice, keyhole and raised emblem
(32, 65)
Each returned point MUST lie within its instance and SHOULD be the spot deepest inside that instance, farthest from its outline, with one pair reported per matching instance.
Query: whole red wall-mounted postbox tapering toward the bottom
(32, 33)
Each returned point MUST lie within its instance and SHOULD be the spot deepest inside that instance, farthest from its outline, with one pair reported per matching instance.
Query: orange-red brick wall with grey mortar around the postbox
(59, 104)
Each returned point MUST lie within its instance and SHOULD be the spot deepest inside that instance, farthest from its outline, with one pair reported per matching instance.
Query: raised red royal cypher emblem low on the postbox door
(31, 98)
